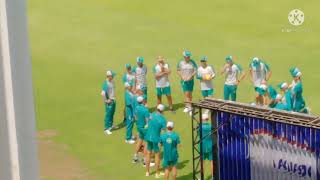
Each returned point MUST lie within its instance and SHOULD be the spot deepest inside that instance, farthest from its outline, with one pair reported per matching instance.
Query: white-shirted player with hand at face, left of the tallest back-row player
(161, 73)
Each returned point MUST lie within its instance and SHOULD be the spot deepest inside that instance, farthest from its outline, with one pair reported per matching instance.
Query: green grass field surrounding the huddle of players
(74, 42)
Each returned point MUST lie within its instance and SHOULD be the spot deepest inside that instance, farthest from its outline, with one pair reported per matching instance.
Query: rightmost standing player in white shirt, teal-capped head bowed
(259, 74)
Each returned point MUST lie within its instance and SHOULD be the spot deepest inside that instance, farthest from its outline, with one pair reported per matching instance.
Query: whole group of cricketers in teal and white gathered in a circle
(153, 128)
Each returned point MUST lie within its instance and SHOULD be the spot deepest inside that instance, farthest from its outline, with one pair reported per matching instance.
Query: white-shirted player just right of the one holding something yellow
(234, 74)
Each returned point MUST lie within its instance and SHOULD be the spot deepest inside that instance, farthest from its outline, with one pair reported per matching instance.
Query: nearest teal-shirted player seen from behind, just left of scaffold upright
(170, 142)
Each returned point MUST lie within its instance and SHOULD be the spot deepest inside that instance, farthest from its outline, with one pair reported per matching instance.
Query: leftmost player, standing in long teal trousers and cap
(108, 94)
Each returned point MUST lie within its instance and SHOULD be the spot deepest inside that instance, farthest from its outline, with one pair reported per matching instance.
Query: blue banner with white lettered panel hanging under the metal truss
(253, 148)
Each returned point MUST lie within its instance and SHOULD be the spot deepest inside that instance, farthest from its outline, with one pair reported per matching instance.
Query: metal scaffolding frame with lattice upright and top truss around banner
(215, 105)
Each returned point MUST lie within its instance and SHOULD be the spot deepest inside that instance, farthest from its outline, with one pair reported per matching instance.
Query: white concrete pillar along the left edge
(18, 152)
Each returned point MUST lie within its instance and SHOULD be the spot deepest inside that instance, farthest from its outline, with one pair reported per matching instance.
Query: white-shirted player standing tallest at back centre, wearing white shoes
(187, 69)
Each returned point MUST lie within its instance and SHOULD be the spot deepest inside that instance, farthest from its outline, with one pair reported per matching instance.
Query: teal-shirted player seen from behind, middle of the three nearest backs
(156, 124)
